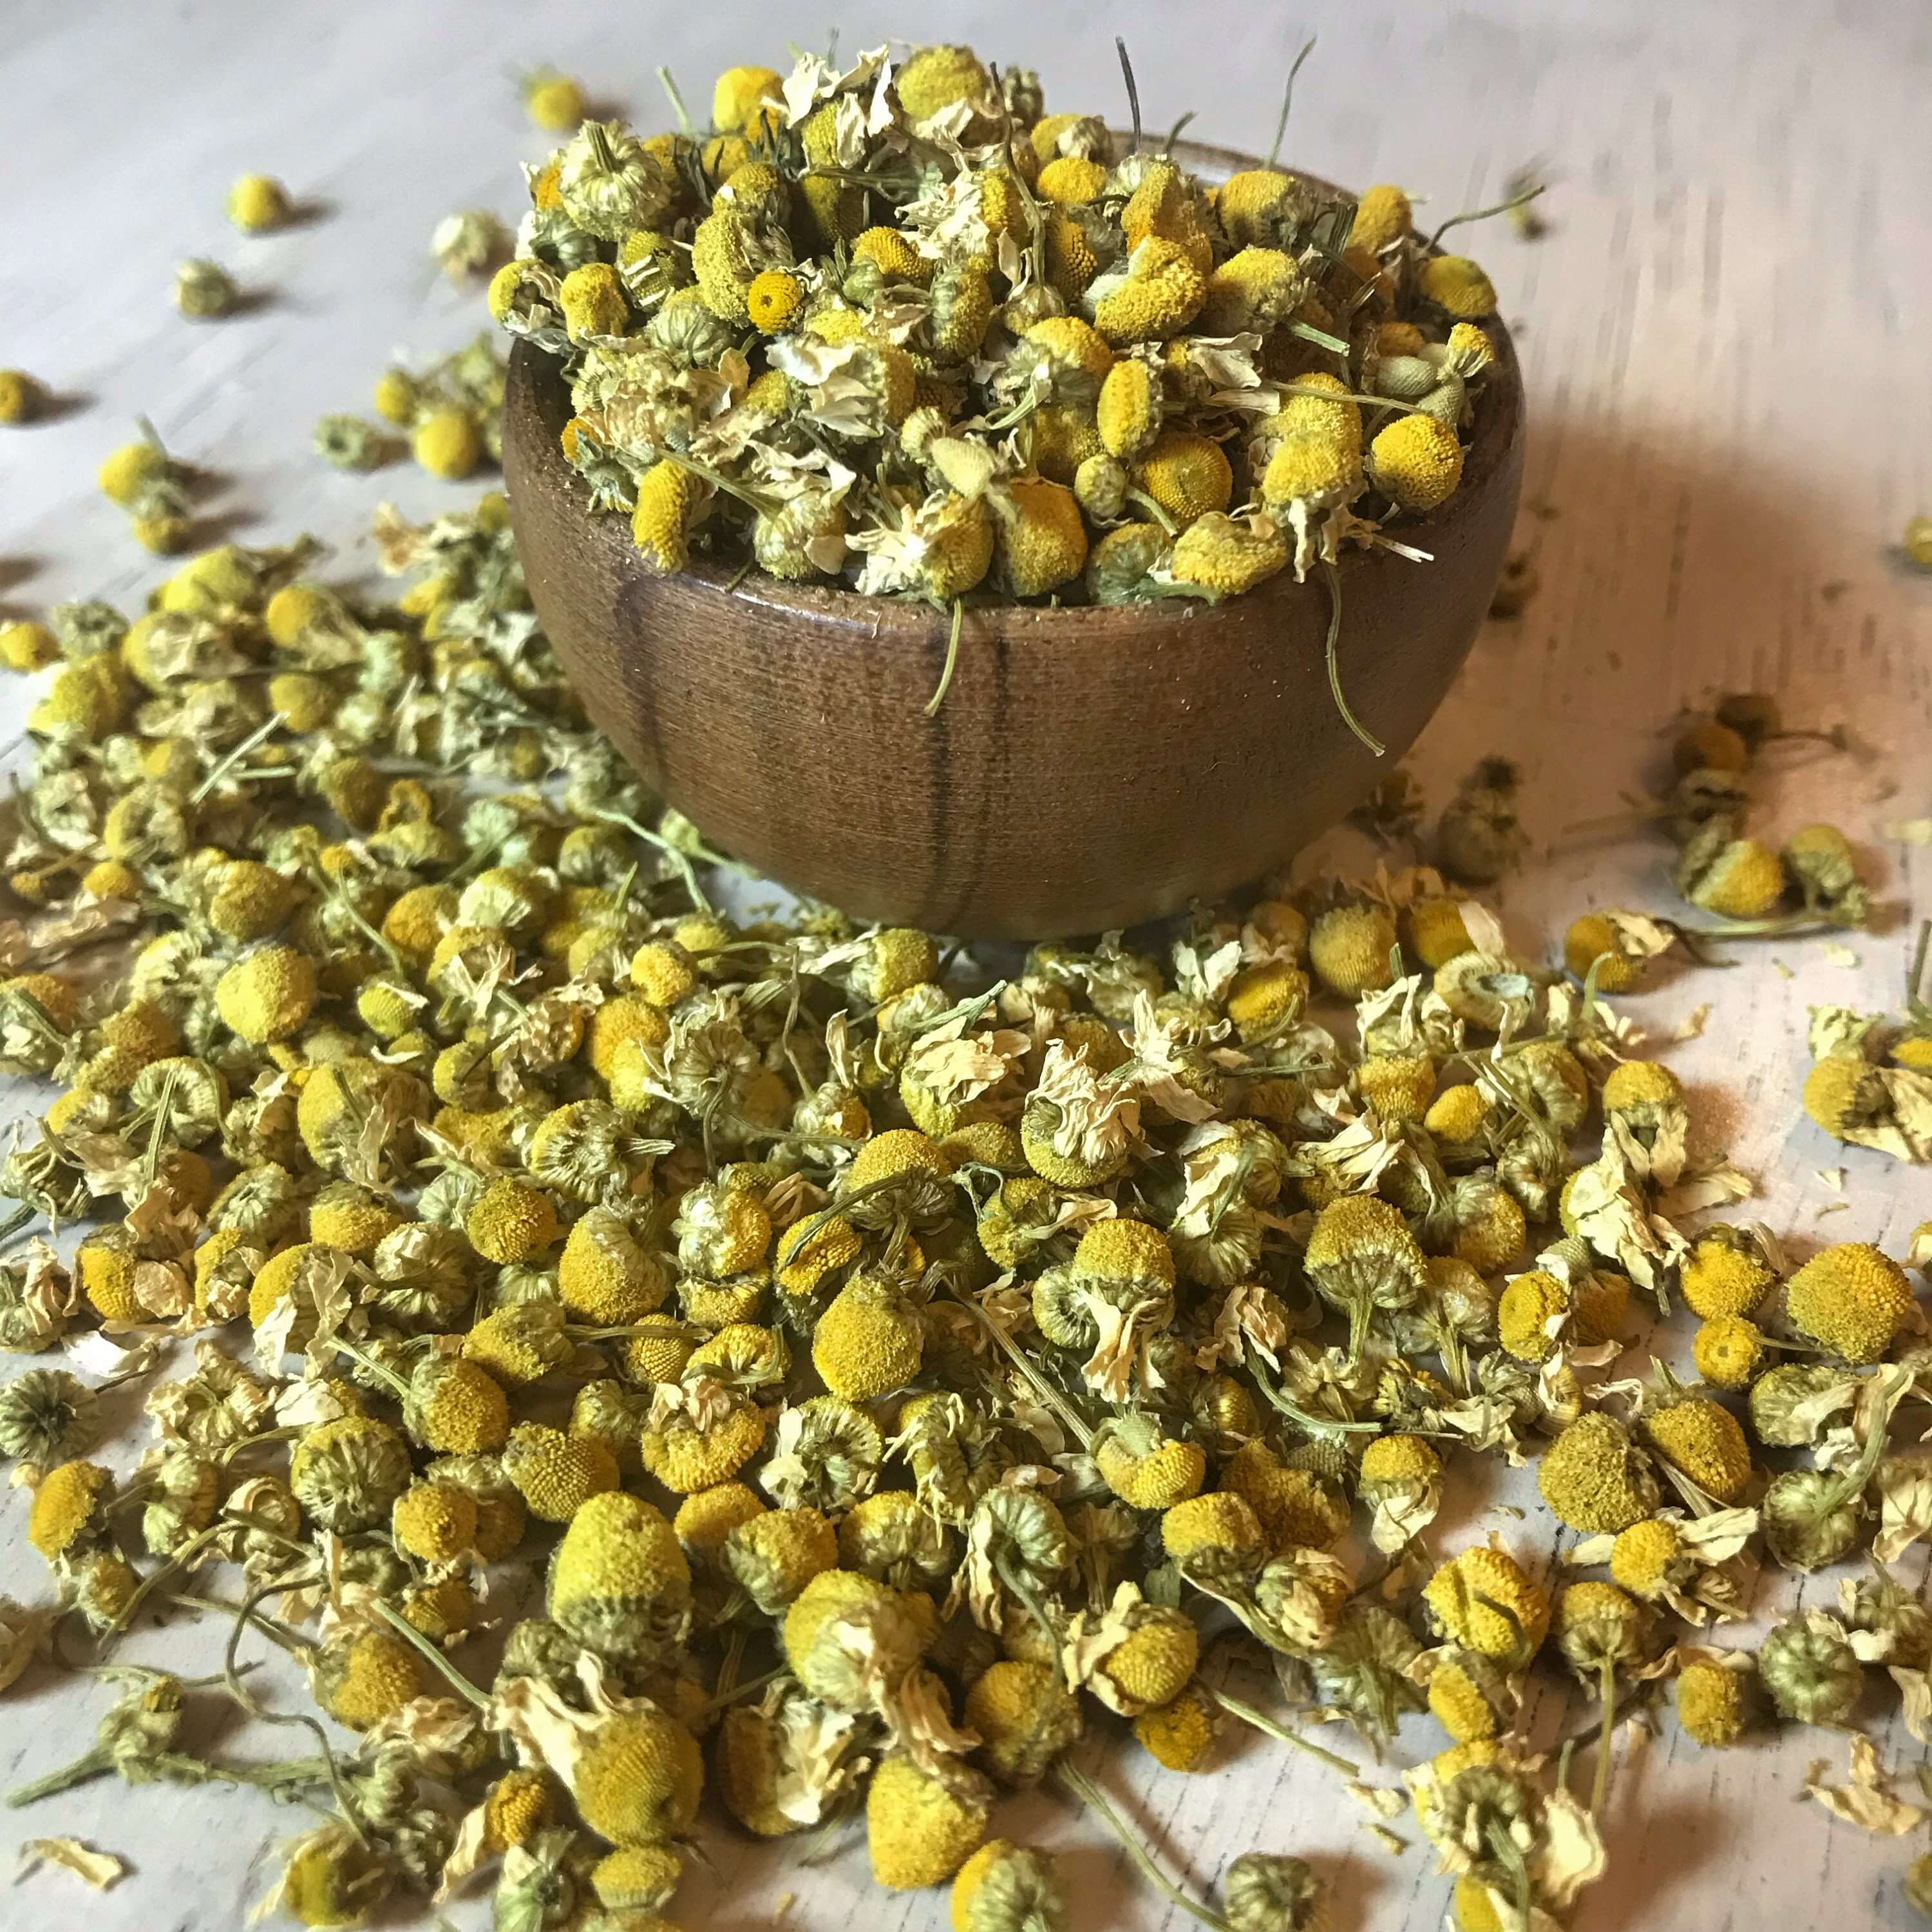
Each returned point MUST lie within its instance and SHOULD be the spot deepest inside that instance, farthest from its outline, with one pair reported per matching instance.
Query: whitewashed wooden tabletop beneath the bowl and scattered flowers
(1732, 416)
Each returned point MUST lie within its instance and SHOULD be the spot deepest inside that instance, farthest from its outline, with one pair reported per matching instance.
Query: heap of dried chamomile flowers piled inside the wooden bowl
(905, 331)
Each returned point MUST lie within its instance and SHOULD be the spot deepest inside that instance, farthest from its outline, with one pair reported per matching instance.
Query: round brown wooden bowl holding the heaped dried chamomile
(1091, 768)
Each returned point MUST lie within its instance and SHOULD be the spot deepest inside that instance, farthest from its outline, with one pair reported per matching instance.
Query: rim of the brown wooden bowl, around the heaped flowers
(1498, 424)
